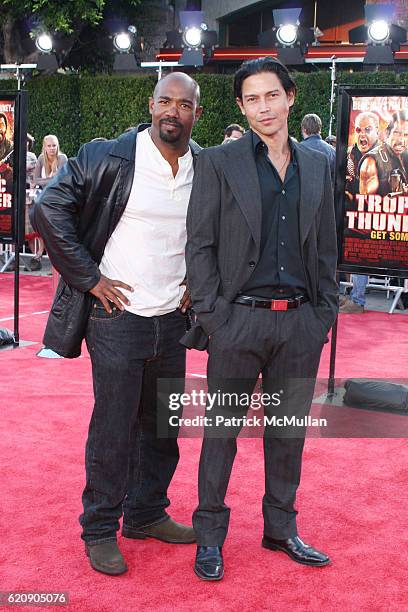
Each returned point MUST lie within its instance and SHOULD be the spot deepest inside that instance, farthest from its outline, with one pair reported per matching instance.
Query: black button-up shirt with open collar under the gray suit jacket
(279, 271)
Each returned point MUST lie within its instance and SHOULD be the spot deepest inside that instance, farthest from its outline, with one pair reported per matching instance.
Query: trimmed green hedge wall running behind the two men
(79, 108)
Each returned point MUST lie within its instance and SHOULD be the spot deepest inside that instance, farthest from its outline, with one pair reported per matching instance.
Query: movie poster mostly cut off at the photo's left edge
(7, 122)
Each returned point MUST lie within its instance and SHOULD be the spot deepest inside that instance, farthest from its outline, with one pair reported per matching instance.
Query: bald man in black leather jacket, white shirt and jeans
(114, 223)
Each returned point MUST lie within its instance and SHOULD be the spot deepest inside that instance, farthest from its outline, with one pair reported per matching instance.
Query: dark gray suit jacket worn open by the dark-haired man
(224, 232)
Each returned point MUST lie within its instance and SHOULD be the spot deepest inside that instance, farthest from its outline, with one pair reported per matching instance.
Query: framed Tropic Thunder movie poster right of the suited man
(374, 181)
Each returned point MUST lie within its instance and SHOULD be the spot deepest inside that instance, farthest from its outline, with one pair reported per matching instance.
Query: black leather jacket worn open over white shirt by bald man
(76, 215)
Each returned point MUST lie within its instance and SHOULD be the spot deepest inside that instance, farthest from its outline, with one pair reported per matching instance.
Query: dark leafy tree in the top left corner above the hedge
(20, 20)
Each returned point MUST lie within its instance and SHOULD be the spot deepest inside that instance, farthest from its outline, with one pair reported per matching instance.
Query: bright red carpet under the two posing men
(352, 502)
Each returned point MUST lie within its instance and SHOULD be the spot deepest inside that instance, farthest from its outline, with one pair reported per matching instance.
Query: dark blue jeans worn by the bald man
(128, 468)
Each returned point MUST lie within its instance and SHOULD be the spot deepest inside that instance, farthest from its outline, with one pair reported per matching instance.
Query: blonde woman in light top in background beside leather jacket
(48, 164)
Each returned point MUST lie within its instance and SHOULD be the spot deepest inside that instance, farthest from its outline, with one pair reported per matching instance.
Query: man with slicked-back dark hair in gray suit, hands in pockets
(261, 261)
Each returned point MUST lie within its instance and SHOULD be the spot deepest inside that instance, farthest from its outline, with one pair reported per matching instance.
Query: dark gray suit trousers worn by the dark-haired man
(285, 348)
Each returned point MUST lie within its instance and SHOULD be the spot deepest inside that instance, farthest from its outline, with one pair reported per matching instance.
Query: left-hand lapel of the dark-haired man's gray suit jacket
(242, 177)
